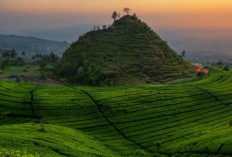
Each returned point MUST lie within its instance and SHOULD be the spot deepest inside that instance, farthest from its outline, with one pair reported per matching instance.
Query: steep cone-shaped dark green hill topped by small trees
(127, 52)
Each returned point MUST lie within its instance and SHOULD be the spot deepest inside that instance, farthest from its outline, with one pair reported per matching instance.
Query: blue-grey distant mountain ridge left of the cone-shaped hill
(32, 45)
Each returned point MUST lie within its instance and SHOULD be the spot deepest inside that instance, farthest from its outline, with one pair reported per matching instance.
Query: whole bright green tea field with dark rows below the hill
(188, 119)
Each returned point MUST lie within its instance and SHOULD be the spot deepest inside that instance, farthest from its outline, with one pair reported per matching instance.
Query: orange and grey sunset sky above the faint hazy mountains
(29, 14)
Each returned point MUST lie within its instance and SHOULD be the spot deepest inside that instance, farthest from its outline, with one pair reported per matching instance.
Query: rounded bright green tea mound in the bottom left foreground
(55, 141)
